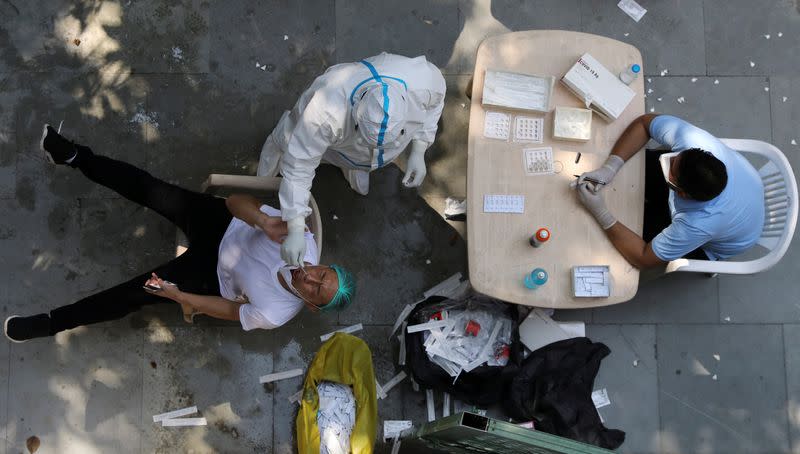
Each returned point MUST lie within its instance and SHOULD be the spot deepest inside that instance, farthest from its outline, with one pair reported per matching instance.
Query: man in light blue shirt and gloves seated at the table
(703, 200)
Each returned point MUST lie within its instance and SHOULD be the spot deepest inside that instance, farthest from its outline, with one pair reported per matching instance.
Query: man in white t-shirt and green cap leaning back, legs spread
(232, 269)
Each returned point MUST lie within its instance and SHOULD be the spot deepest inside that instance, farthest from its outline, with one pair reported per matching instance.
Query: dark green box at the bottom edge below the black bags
(470, 433)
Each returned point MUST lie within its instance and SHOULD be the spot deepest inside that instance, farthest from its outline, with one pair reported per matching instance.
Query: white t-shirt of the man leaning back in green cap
(247, 268)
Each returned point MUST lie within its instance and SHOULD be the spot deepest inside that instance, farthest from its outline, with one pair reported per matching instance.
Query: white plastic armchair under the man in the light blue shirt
(780, 214)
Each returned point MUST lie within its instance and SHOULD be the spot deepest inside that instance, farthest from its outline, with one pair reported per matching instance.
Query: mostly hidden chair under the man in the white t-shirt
(218, 184)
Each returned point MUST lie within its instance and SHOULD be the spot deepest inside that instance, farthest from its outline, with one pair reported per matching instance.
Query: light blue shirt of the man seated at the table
(725, 225)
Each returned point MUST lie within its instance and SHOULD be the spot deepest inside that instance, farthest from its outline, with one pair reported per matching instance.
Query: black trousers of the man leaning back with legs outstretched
(202, 217)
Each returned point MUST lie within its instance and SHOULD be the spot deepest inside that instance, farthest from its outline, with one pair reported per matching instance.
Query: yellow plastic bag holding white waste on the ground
(347, 360)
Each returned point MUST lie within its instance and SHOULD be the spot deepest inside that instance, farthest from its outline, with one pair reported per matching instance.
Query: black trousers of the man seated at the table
(657, 216)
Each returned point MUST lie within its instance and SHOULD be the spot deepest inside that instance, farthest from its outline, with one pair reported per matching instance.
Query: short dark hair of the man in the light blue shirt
(701, 175)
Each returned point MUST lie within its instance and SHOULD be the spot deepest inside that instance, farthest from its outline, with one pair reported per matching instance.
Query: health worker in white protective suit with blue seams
(358, 116)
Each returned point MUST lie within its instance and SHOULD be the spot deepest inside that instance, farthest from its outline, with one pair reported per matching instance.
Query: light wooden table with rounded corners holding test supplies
(499, 253)
